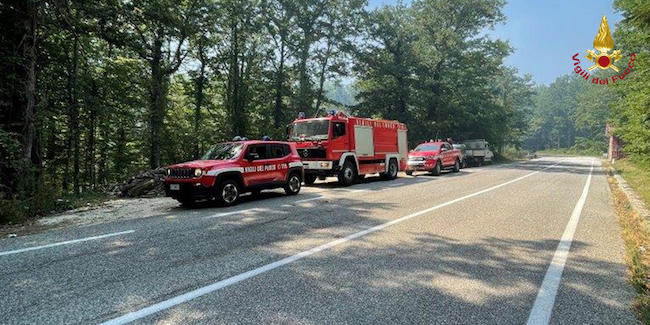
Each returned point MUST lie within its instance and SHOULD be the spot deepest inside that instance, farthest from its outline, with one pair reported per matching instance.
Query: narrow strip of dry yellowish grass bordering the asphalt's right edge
(637, 247)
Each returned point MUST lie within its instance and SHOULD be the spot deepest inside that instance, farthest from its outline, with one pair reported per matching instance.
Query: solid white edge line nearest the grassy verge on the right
(543, 306)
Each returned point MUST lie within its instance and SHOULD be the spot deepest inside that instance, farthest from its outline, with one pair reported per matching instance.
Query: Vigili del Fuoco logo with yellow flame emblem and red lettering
(603, 60)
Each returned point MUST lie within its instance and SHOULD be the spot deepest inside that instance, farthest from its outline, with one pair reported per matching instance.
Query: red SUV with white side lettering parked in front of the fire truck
(231, 168)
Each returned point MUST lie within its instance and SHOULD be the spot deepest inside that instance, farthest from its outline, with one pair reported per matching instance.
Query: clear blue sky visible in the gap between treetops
(546, 34)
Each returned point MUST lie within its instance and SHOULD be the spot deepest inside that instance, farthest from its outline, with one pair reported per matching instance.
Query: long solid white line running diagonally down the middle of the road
(135, 315)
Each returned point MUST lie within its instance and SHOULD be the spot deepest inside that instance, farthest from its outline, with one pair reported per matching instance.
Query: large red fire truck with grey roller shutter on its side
(349, 147)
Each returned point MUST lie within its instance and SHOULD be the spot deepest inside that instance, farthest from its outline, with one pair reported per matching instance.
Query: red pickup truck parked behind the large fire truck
(433, 157)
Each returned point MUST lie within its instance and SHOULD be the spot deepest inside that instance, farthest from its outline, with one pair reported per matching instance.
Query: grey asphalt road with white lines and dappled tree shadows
(534, 242)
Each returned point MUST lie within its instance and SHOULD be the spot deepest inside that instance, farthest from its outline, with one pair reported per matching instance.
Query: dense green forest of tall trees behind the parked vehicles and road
(94, 91)
